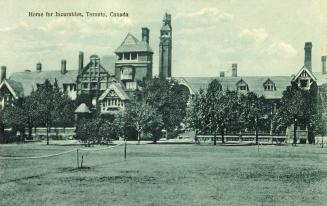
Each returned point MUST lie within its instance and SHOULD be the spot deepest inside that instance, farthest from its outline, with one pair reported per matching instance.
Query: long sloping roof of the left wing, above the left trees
(29, 79)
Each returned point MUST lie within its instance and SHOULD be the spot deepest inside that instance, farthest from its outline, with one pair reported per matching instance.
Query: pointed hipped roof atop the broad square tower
(132, 44)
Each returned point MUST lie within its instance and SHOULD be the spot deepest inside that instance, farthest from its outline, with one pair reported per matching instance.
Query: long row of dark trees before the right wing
(215, 111)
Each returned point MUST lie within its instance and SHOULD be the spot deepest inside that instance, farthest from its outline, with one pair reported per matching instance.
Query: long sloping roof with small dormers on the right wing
(254, 84)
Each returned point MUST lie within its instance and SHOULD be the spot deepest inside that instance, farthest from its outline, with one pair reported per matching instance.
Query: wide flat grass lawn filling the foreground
(166, 175)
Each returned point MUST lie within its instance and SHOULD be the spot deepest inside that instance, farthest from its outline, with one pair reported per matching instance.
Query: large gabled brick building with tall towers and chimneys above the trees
(109, 82)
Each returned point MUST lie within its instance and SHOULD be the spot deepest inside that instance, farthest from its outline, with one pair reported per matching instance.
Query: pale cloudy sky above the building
(264, 37)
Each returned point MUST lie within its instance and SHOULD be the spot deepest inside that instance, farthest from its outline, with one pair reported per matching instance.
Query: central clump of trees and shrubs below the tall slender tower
(159, 106)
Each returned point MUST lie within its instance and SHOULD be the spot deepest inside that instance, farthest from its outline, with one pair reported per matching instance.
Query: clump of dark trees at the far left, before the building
(46, 107)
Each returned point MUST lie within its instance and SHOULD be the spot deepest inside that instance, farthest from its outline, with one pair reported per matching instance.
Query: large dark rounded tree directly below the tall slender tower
(169, 99)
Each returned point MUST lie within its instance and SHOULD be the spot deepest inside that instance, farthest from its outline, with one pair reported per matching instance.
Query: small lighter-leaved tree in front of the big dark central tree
(142, 117)
